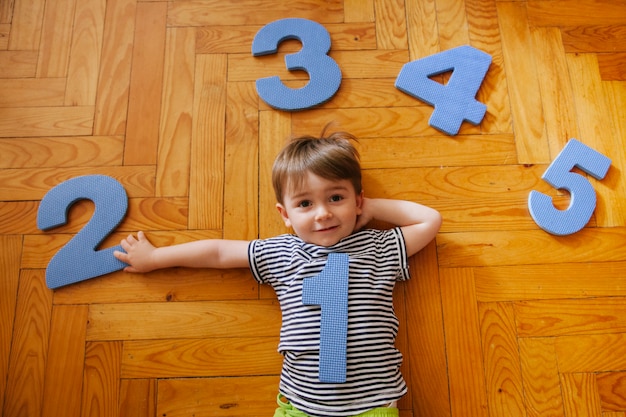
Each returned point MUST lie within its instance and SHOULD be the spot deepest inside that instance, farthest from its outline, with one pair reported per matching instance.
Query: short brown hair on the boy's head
(331, 157)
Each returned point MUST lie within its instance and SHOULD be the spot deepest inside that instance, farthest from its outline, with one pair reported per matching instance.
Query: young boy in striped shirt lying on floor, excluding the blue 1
(317, 182)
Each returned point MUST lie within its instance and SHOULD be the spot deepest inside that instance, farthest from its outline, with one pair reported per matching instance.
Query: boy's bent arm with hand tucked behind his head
(419, 223)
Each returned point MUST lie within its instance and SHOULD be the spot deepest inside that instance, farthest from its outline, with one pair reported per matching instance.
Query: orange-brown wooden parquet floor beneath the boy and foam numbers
(500, 319)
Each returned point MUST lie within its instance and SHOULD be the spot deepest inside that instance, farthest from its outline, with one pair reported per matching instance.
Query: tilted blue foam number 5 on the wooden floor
(582, 194)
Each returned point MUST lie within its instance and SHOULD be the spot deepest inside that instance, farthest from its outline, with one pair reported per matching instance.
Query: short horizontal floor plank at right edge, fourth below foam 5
(591, 353)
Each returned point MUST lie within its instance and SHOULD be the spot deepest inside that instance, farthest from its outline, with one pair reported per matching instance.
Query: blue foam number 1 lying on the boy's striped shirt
(329, 290)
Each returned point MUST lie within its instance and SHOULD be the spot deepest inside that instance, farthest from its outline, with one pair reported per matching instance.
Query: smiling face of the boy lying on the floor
(321, 211)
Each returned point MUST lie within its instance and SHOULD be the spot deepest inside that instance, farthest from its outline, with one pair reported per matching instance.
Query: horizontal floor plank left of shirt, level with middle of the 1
(183, 320)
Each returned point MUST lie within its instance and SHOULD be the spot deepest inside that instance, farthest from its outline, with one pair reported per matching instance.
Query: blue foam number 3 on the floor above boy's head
(324, 73)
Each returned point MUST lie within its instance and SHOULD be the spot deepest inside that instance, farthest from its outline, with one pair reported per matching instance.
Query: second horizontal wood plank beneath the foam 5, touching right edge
(550, 281)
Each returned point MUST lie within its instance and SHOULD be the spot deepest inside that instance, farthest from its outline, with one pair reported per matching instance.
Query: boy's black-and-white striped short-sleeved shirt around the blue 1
(376, 260)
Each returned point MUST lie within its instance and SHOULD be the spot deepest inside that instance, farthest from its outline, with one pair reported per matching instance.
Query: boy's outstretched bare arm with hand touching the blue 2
(142, 256)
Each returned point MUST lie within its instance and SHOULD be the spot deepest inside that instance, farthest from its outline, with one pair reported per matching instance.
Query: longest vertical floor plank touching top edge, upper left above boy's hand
(146, 80)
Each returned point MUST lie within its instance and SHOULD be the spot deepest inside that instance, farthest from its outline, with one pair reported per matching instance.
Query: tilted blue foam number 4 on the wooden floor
(455, 101)
